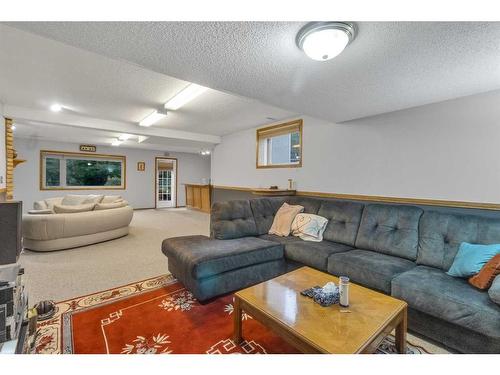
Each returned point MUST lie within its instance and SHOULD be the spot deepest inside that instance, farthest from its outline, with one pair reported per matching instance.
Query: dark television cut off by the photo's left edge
(11, 214)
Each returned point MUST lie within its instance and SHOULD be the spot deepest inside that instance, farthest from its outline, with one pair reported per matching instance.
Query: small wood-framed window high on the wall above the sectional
(280, 146)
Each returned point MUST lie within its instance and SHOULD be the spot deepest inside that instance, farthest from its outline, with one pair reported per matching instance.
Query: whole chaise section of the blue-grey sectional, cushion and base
(210, 267)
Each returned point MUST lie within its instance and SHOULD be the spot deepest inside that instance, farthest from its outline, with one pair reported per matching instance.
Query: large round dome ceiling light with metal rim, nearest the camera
(322, 41)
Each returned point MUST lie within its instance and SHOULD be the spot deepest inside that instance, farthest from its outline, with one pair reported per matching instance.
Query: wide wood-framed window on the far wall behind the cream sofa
(81, 171)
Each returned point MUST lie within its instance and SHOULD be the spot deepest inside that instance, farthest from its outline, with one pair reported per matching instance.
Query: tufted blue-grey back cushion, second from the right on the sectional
(391, 230)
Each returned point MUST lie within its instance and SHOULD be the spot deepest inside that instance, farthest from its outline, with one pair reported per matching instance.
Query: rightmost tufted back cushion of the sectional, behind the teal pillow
(441, 235)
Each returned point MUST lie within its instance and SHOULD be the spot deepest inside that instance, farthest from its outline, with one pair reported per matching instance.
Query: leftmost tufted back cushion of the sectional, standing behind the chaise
(232, 219)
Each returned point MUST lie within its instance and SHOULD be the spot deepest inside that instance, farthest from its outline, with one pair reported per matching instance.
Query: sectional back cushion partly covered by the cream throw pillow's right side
(343, 221)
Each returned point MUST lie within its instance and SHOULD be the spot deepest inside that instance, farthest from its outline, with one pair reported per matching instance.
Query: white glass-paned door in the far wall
(166, 182)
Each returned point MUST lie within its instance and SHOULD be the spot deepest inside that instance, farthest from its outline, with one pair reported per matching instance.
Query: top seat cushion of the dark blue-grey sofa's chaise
(202, 257)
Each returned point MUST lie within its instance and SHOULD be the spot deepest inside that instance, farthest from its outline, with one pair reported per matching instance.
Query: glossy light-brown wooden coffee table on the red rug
(311, 328)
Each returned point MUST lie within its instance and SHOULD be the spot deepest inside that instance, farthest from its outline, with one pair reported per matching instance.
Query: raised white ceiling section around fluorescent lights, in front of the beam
(37, 72)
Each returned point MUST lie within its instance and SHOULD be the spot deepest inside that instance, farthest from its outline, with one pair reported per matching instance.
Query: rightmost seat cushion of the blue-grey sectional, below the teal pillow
(432, 291)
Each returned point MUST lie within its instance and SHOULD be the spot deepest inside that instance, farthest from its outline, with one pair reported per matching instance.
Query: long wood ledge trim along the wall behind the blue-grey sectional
(383, 199)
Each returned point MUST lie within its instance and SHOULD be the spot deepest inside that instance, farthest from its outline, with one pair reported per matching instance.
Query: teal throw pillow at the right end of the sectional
(471, 258)
